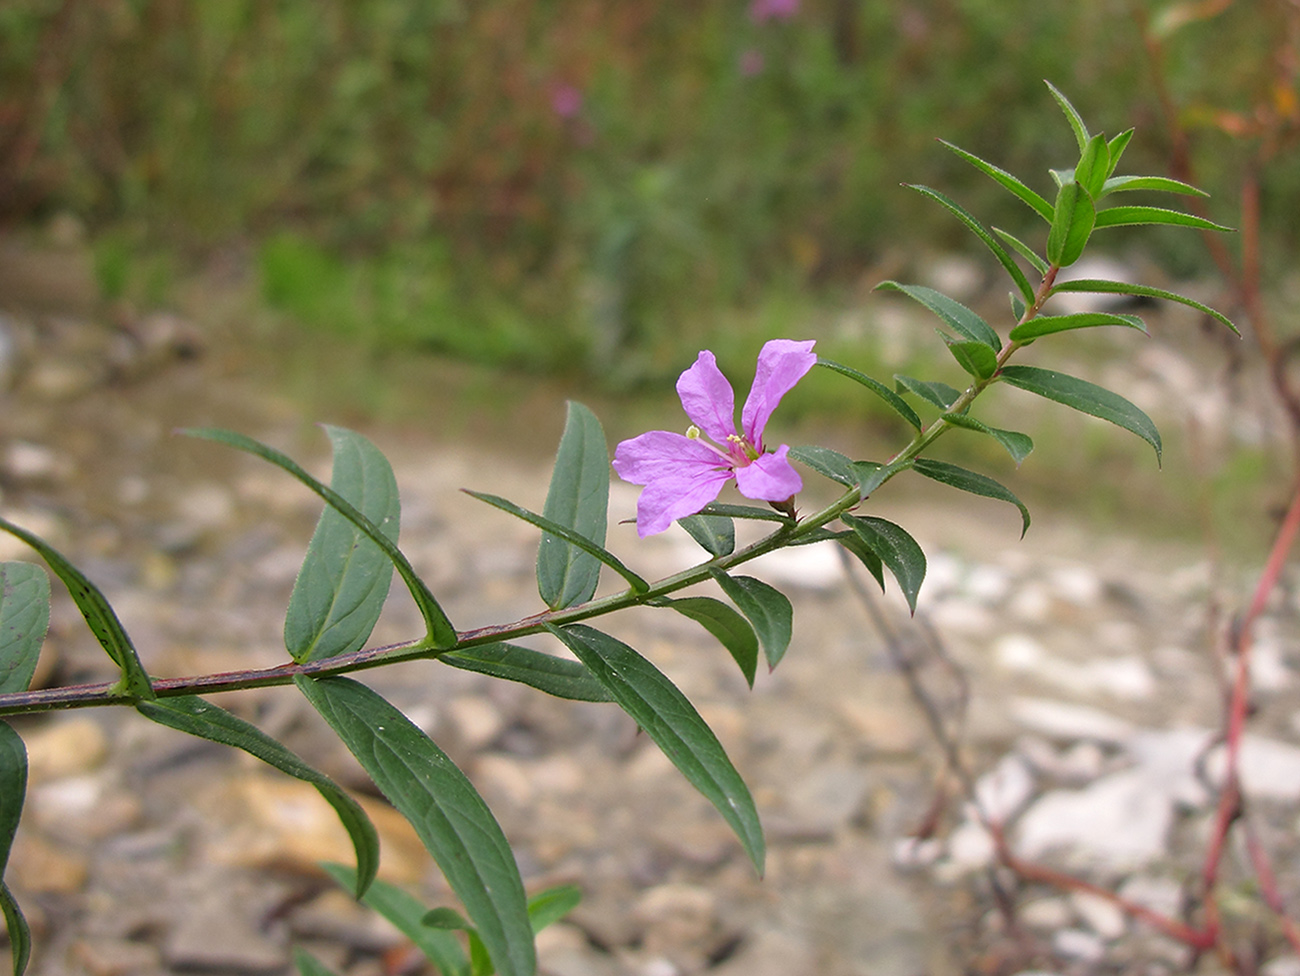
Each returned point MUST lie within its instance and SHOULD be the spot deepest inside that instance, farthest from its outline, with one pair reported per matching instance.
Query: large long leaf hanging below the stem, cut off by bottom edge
(448, 814)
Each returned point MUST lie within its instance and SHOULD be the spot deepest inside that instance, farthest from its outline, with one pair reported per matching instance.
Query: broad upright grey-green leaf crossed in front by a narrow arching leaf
(345, 579)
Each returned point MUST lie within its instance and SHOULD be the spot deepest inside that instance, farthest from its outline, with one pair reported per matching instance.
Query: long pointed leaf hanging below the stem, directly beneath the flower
(669, 718)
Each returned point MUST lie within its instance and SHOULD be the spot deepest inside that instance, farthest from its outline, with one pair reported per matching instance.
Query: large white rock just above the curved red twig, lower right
(1117, 823)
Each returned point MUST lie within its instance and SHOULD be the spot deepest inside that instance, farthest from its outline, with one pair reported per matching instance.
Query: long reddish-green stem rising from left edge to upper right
(109, 693)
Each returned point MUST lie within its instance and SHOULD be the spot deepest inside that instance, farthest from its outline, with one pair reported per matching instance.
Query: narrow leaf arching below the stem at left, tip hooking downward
(196, 717)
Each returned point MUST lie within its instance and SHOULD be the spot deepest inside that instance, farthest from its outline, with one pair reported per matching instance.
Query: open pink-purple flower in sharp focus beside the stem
(683, 472)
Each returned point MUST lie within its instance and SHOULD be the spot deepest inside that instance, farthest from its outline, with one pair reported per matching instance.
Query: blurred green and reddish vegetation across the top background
(590, 185)
